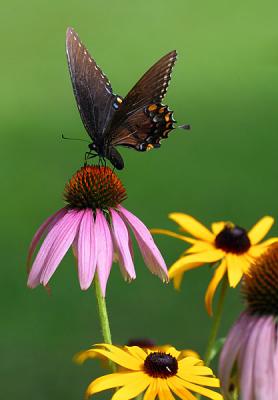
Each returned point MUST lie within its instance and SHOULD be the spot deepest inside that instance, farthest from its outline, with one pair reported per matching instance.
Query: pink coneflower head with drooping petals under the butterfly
(96, 225)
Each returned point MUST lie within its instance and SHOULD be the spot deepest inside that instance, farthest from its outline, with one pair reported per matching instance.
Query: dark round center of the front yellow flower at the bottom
(160, 365)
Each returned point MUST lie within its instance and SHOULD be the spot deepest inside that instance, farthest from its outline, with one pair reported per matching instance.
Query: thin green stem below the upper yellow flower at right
(216, 321)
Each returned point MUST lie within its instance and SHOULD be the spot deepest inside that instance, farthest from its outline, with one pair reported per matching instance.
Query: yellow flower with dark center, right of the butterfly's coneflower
(229, 244)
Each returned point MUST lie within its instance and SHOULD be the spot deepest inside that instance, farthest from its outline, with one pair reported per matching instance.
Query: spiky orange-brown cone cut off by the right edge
(260, 285)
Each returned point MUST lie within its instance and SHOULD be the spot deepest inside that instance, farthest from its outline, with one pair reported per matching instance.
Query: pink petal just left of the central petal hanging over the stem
(86, 250)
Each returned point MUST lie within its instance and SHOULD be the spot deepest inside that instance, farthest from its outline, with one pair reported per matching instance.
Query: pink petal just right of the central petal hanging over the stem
(122, 240)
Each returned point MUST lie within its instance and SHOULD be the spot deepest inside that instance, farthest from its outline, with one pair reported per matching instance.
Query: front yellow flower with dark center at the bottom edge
(155, 373)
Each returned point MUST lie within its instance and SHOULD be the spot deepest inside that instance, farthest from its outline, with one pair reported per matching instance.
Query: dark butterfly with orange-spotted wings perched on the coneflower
(139, 120)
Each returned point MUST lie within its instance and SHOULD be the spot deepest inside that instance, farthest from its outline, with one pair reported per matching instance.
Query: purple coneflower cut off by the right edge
(249, 359)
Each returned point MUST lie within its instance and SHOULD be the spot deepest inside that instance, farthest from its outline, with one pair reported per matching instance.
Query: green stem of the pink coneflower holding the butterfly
(103, 317)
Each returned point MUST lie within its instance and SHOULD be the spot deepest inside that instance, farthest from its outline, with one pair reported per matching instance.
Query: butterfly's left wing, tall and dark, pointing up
(93, 92)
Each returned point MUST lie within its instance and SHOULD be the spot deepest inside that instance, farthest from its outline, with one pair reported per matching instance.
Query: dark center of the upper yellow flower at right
(233, 239)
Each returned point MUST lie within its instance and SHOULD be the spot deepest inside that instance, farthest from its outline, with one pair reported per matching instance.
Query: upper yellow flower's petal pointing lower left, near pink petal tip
(195, 260)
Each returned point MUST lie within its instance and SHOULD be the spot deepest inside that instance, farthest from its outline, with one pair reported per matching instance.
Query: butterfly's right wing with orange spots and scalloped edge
(142, 120)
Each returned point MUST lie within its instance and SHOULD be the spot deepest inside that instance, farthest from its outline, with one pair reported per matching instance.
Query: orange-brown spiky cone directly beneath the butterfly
(94, 187)
